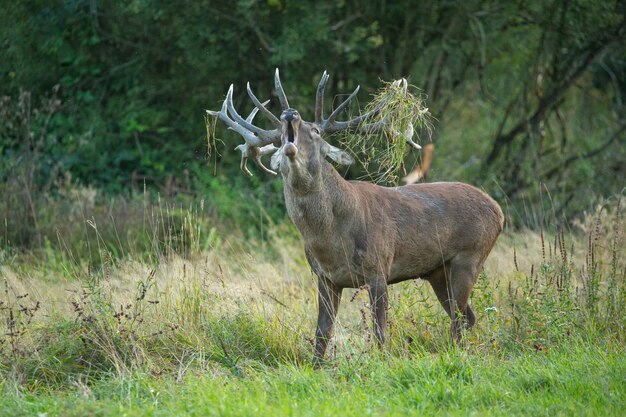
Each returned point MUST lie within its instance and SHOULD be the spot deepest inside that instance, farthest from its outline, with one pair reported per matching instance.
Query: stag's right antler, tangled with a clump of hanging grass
(359, 123)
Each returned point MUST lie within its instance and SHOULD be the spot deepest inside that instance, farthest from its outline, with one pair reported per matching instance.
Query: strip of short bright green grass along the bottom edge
(574, 380)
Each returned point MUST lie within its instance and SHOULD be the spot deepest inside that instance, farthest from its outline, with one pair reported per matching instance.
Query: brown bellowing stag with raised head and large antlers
(361, 235)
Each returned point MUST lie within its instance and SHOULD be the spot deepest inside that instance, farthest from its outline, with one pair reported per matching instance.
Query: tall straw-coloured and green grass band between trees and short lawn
(211, 302)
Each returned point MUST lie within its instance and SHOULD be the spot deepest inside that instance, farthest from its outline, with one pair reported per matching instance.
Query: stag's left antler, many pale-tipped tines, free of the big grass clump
(258, 142)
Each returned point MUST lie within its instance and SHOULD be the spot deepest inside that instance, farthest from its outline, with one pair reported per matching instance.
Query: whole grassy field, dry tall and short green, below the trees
(205, 321)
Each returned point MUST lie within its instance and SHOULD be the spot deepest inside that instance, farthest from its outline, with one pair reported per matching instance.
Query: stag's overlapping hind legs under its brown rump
(452, 284)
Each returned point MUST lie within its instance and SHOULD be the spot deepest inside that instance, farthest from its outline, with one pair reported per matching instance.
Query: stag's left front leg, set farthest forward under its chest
(329, 296)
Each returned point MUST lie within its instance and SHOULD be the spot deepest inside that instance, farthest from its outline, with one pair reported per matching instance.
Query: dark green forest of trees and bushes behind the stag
(102, 102)
